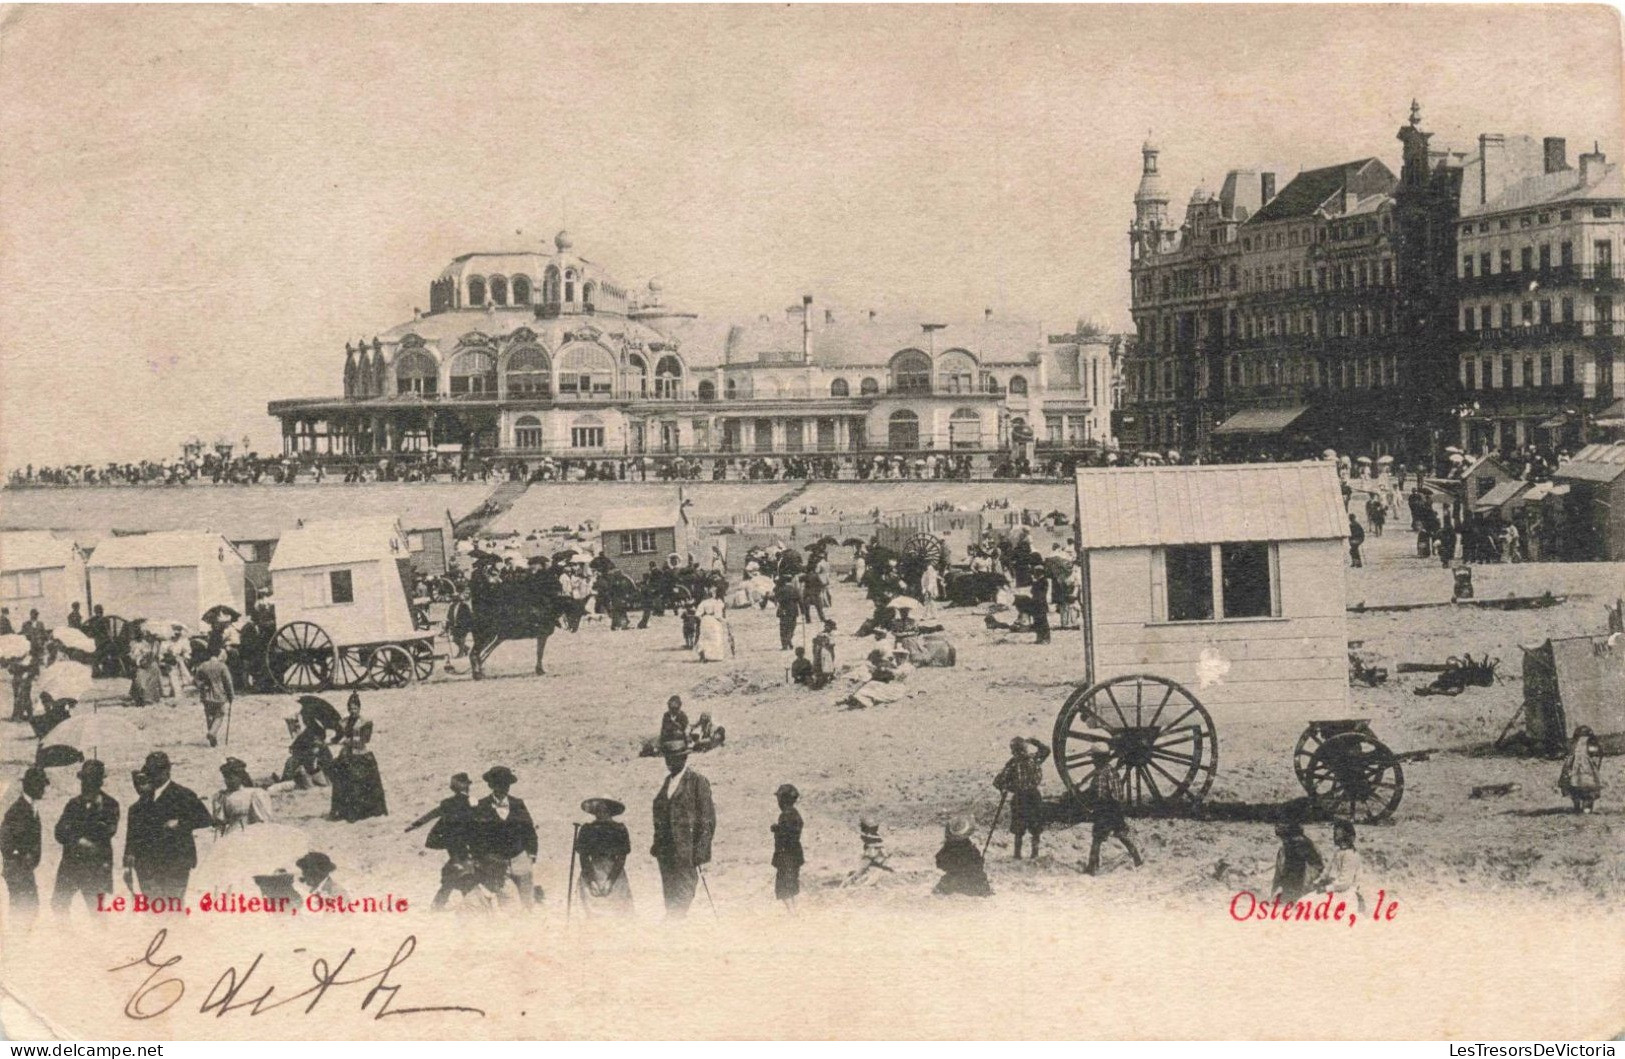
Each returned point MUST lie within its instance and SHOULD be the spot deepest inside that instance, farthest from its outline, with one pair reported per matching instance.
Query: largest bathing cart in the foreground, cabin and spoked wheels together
(1216, 592)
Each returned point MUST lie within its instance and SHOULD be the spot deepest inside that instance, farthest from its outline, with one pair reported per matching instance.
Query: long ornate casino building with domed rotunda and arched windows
(545, 355)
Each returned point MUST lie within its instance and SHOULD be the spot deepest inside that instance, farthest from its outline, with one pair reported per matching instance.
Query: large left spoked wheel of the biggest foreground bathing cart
(1158, 737)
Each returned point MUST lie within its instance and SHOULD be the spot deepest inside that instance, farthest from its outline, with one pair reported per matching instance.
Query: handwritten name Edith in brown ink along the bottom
(238, 992)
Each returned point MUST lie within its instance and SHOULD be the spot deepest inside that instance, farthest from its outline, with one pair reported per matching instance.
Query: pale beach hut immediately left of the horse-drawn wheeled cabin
(173, 576)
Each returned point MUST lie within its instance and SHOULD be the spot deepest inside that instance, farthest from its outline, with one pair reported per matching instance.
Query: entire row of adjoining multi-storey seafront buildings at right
(1333, 313)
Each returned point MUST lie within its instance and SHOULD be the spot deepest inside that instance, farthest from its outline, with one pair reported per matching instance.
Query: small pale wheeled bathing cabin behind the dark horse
(342, 595)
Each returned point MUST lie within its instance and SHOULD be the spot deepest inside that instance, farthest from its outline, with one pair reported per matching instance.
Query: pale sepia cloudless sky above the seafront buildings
(199, 207)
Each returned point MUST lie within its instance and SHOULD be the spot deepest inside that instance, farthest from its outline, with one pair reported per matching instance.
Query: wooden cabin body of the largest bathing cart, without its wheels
(1228, 579)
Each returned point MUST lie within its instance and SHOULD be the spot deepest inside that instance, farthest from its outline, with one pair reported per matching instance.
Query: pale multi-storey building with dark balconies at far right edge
(1540, 283)
